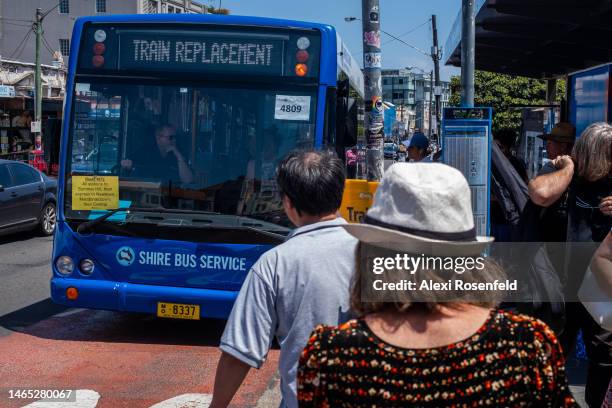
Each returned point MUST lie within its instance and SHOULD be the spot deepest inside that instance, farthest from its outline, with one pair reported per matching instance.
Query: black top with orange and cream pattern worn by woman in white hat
(512, 360)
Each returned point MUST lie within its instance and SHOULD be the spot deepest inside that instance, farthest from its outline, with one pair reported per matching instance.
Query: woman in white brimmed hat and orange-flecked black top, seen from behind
(427, 347)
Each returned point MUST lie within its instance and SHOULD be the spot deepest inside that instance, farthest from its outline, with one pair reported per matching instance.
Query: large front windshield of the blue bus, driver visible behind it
(195, 148)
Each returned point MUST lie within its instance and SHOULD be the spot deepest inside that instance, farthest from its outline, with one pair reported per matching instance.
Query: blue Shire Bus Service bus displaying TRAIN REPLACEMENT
(173, 127)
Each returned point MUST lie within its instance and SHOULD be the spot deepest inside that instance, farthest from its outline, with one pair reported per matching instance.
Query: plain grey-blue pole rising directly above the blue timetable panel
(468, 52)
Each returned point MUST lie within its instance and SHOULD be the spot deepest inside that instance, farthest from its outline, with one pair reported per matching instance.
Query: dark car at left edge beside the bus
(27, 199)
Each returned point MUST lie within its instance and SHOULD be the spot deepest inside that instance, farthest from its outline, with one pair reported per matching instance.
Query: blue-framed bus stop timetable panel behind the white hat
(466, 146)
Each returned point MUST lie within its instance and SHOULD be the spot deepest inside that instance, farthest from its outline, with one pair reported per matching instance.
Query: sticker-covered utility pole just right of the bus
(374, 117)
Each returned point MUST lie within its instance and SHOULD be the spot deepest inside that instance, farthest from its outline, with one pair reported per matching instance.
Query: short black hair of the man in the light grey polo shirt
(312, 180)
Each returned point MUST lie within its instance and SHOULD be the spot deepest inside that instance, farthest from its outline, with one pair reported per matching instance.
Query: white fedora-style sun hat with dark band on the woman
(422, 208)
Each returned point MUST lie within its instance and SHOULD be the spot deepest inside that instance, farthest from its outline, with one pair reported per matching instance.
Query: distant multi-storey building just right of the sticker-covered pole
(412, 95)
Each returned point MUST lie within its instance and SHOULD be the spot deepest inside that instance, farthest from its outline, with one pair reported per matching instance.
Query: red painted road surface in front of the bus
(130, 360)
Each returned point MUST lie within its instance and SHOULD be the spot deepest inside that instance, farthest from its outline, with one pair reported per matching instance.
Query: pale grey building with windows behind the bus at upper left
(17, 41)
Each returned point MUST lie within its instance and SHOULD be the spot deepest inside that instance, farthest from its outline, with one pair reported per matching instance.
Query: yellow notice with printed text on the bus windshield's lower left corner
(95, 192)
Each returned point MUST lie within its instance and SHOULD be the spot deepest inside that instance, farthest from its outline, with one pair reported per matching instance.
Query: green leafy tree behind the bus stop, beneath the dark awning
(502, 92)
